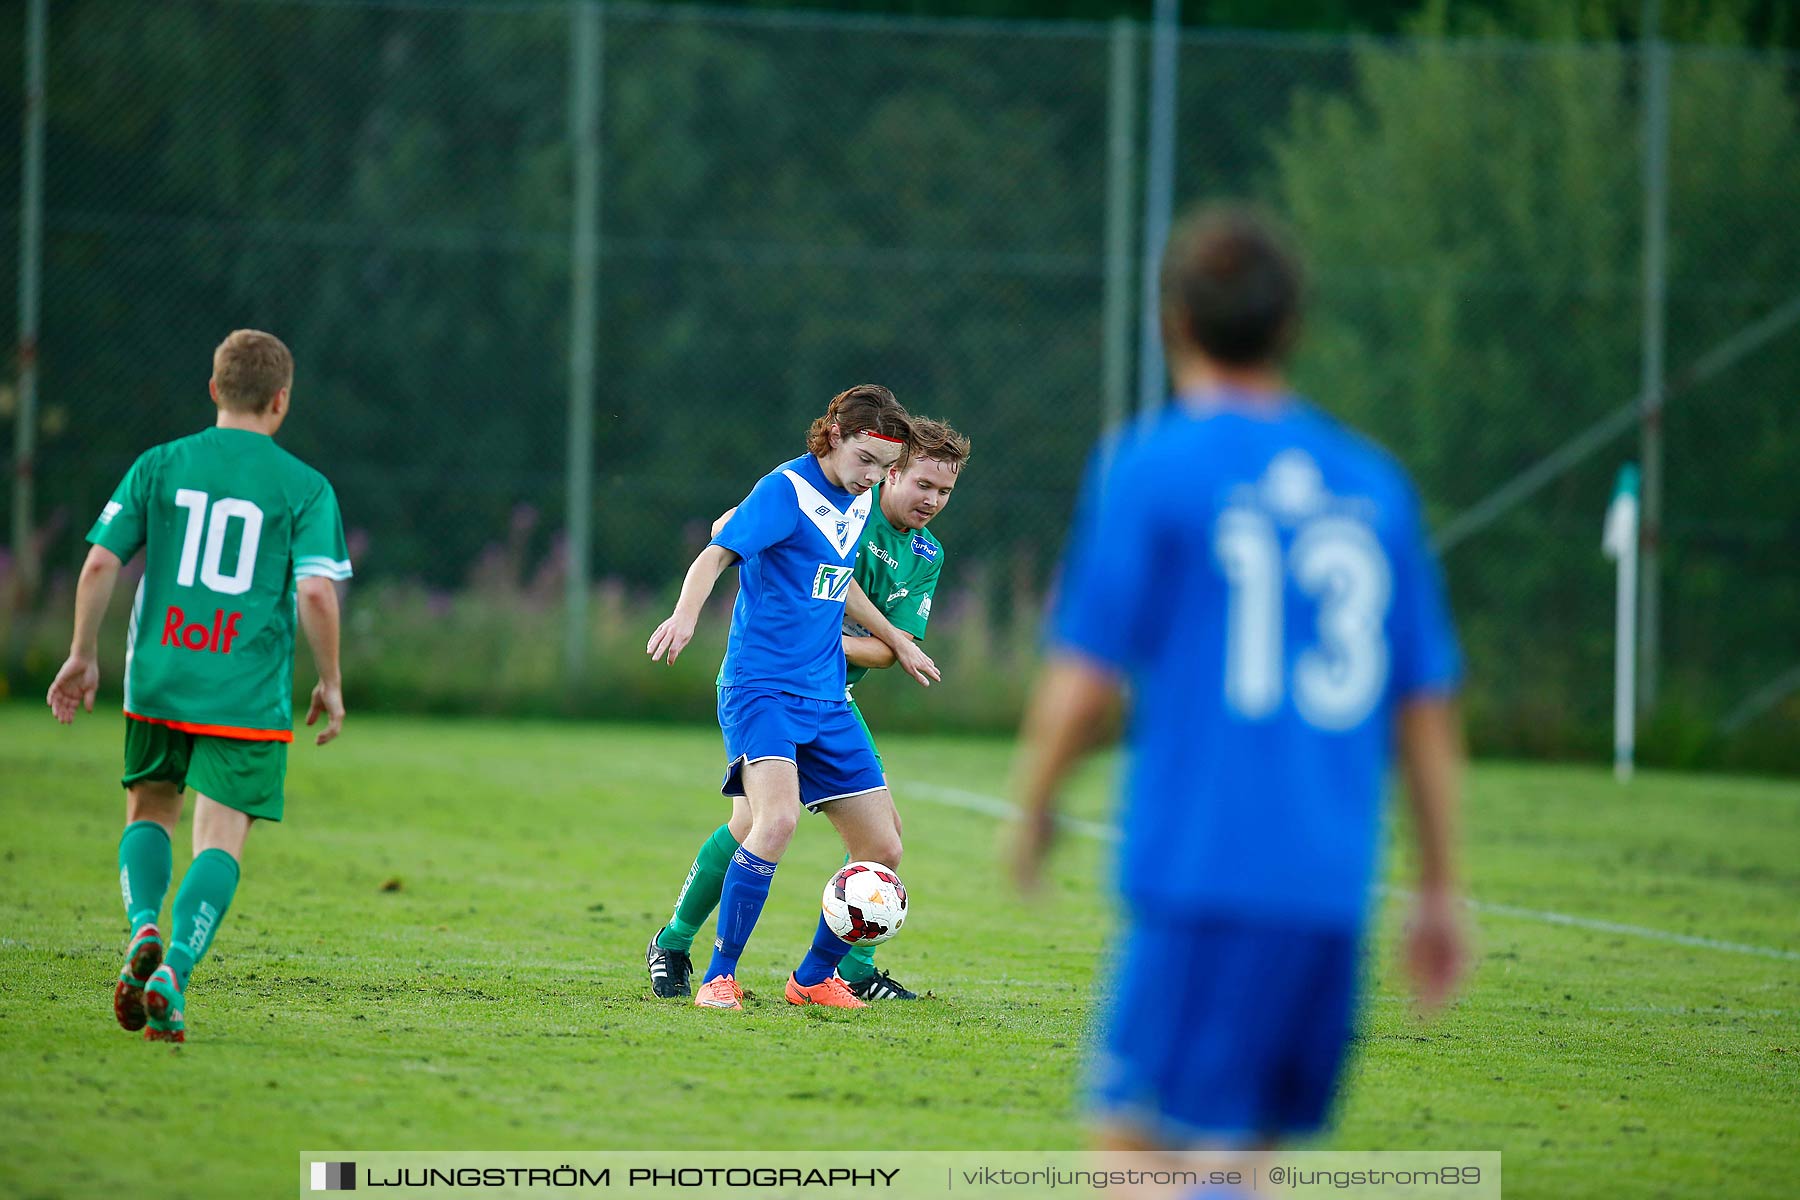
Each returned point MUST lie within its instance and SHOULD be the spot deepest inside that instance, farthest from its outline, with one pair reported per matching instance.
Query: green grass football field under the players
(442, 949)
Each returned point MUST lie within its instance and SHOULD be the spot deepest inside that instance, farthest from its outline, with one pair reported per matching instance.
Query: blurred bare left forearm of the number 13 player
(1068, 704)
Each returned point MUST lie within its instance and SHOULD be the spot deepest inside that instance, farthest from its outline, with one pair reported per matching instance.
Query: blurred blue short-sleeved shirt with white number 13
(1264, 584)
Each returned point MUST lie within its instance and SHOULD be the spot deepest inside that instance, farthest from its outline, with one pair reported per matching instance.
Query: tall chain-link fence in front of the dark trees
(795, 204)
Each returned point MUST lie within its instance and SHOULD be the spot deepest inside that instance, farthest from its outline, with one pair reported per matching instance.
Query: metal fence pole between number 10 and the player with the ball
(584, 319)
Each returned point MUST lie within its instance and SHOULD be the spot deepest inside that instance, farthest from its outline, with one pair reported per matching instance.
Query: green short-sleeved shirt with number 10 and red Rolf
(228, 523)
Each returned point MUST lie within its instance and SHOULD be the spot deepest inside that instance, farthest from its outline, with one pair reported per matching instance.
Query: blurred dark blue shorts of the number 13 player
(1221, 1032)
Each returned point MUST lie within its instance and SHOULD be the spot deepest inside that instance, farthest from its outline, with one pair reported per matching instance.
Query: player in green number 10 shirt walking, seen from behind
(242, 541)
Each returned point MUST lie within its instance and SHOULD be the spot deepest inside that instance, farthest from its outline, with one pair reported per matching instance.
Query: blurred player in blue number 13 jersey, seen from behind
(1257, 578)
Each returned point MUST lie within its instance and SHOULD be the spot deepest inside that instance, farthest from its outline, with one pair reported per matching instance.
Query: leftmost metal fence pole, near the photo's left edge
(30, 280)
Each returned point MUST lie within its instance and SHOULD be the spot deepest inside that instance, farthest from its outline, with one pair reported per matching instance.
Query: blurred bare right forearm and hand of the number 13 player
(1432, 762)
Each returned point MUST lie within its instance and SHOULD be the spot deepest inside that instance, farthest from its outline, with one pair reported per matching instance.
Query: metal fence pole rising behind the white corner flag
(1655, 64)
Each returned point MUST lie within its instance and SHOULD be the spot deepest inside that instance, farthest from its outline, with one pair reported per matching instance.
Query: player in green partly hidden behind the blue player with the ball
(897, 575)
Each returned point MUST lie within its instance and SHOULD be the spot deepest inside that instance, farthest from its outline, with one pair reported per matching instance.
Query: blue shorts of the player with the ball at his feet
(823, 739)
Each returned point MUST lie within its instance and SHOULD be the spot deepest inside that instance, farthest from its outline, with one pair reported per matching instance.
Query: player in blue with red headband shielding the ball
(791, 735)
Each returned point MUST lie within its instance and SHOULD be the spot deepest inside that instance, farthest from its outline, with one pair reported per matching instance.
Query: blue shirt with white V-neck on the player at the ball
(798, 537)
